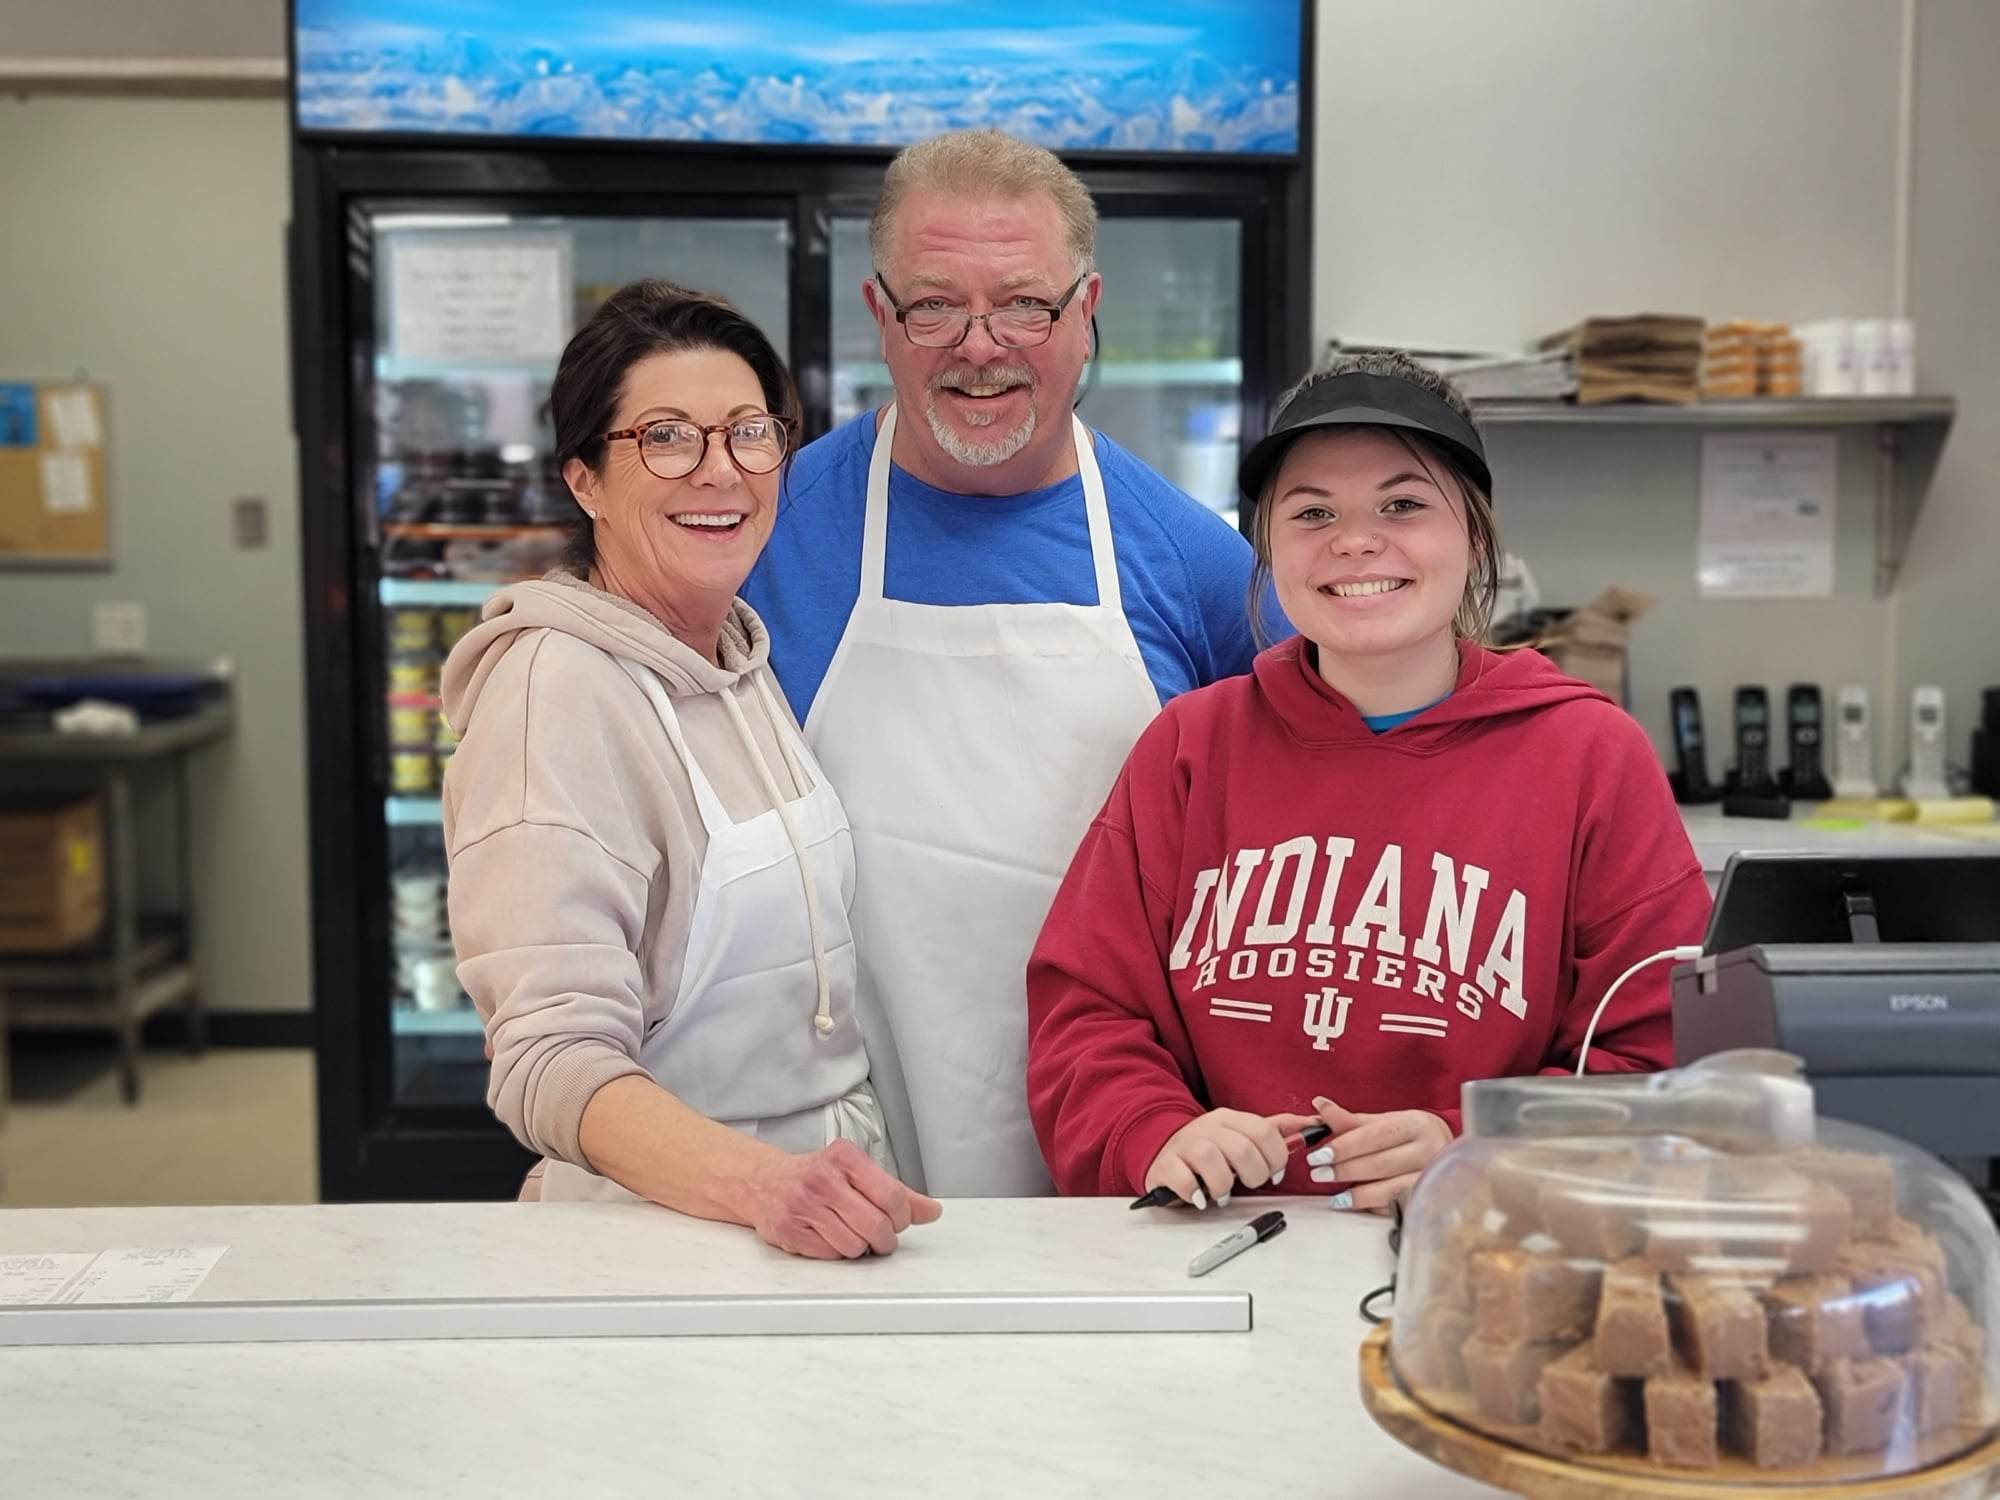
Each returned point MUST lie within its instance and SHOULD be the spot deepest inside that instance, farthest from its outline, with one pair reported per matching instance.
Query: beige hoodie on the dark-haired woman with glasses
(573, 833)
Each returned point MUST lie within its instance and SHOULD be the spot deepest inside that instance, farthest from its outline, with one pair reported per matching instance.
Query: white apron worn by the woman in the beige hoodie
(755, 1041)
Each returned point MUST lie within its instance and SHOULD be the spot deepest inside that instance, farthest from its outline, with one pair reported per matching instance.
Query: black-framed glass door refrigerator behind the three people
(435, 283)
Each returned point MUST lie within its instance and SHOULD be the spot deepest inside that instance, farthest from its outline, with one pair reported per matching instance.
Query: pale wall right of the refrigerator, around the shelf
(1489, 173)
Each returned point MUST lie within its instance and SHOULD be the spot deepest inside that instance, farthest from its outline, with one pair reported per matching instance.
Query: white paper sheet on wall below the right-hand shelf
(1769, 505)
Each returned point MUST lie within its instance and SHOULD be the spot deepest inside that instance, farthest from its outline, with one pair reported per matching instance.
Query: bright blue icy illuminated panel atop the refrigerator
(1133, 75)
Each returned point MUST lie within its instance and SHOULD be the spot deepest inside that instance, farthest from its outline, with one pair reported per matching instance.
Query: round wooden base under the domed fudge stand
(1963, 1475)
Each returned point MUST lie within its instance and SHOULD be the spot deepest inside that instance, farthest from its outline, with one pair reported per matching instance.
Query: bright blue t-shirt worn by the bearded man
(1183, 571)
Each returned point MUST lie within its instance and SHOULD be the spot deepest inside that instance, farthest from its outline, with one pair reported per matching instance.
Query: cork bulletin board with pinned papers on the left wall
(53, 485)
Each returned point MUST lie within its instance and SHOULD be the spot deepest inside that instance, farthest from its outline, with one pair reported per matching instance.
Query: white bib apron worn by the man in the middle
(973, 745)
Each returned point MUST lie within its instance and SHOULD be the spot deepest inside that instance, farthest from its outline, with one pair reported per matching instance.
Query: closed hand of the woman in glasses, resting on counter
(835, 1205)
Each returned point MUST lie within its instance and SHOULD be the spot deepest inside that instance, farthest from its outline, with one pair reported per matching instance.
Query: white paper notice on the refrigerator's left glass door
(481, 299)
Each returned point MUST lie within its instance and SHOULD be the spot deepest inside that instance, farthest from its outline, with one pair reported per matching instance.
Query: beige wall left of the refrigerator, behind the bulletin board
(143, 243)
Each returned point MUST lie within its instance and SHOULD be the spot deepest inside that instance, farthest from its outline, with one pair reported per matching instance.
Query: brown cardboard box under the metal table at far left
(51, 875)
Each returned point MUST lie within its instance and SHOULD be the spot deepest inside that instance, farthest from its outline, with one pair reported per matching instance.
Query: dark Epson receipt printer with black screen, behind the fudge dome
(1879, 969)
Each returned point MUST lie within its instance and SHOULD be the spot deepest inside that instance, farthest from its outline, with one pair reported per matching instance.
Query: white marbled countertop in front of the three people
(1155, 1415)
